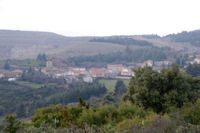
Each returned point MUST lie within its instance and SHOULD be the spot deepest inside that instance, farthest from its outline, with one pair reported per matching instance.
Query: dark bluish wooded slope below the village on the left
(23, 100)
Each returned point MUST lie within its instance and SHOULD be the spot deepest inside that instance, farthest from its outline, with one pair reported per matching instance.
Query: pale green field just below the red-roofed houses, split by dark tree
(110, 83)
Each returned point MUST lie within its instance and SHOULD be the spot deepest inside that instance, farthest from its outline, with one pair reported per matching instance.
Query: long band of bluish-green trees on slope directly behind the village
(140, 55)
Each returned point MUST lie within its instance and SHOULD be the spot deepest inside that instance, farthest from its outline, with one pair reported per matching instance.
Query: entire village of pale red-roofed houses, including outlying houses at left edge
(56, 69)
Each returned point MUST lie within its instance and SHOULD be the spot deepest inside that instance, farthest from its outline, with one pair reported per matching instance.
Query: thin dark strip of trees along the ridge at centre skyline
(122, 41)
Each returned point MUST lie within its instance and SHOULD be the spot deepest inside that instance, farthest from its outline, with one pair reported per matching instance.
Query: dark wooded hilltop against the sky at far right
(192, 37)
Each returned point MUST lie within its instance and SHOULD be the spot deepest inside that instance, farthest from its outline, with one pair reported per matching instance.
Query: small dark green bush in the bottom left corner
(12, 125)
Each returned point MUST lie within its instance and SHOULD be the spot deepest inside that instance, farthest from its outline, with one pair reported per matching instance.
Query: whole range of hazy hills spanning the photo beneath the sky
(28, 44)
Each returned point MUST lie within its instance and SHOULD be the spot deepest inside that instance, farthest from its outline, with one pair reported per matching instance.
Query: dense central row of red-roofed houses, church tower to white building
(88, 75)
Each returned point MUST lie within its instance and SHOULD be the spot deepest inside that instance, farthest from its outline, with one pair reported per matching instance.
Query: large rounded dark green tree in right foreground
(161, 90)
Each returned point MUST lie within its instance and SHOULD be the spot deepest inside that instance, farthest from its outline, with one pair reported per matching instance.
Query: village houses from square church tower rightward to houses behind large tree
(110, 71)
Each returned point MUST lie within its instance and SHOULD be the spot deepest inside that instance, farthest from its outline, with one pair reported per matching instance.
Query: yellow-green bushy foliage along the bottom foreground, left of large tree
(62, 116)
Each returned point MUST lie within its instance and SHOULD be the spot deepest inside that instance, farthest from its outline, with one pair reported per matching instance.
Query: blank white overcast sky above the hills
(101, 17)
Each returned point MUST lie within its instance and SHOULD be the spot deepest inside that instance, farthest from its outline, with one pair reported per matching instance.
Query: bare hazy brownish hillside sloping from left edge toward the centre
(28, 44)
